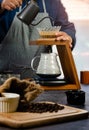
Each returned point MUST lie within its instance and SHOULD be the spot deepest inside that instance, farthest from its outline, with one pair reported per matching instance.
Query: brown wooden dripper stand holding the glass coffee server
(67, 63)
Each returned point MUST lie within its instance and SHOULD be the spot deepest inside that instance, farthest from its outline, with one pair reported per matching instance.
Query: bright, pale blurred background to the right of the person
(78, 12)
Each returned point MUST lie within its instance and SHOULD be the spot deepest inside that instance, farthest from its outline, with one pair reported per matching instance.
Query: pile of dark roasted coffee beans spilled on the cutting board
(42, 107)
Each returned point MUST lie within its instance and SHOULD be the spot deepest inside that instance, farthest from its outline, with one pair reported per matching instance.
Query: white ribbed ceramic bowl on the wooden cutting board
(9, 103)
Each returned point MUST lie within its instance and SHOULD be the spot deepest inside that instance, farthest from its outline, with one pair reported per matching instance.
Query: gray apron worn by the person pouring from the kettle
(15, 52)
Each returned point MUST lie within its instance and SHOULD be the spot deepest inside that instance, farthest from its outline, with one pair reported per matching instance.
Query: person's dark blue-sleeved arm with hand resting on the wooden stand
(60, 16)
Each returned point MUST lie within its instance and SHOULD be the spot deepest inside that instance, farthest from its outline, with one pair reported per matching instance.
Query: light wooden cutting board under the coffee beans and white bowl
(26, 119)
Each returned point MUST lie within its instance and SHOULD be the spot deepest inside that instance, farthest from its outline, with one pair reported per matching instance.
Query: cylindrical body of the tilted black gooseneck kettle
(29, 12)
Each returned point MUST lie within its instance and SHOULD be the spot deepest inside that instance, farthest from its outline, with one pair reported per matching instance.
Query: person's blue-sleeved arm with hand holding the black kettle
(7, 16)
